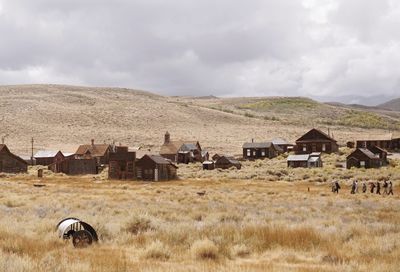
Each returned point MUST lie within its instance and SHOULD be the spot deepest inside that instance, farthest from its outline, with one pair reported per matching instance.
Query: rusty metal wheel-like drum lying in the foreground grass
(82, 233)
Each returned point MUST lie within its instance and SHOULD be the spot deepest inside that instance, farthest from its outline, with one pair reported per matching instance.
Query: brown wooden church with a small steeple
(181, 151)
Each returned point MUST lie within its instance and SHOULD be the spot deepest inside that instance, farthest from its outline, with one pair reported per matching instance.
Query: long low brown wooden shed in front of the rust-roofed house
(75, 165)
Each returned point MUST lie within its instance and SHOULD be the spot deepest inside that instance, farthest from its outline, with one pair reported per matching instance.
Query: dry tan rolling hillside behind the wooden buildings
(62, 117)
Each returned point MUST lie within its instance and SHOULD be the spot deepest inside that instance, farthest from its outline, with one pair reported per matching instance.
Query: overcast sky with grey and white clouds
(201, 47)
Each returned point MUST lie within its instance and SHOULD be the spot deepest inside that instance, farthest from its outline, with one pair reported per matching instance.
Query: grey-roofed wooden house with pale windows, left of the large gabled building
(263, 150)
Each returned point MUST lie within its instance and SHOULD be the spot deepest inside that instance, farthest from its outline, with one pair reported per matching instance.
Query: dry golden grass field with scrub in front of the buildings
(246, 224)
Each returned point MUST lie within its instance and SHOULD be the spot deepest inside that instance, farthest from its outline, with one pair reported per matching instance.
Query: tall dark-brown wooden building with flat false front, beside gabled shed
(122, 164)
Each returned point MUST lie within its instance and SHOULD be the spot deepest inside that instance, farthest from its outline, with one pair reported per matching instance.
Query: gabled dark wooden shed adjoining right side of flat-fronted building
(155, 168)
